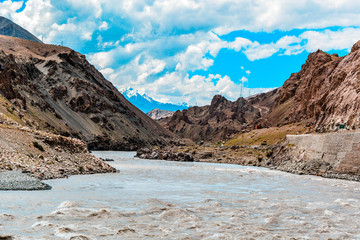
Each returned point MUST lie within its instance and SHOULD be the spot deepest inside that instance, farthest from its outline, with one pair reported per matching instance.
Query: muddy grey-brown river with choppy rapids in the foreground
(152, 199)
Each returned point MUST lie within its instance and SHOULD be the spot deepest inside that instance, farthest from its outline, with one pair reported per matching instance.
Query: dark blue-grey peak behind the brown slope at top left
(9, 28)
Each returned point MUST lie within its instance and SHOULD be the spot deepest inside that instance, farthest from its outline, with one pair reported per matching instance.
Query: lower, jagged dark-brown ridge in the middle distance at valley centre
(217, 121)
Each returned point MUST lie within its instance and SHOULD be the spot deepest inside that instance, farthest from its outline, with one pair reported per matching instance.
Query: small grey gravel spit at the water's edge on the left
(15, 180)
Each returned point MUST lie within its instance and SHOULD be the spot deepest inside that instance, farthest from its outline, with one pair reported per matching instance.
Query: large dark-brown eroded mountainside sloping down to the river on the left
(65, 94)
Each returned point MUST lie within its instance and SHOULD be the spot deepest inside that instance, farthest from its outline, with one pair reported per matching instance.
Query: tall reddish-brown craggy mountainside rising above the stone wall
(324, 92)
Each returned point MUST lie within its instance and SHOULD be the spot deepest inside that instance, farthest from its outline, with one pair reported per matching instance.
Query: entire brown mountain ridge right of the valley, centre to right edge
(325, 94)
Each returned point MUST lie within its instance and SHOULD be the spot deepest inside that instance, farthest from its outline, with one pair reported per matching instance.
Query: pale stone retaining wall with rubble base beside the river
(335, 155)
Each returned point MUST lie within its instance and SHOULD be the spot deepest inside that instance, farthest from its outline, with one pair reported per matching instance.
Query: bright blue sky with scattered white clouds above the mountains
(188, 51)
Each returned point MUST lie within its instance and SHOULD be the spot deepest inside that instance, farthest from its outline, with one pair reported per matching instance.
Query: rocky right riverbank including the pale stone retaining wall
(330, 155)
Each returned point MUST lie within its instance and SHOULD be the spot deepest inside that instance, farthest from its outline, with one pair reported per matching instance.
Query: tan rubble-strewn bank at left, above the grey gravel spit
(45, 155)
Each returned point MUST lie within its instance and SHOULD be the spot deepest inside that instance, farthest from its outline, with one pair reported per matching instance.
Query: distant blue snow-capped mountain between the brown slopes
(146, 103)
